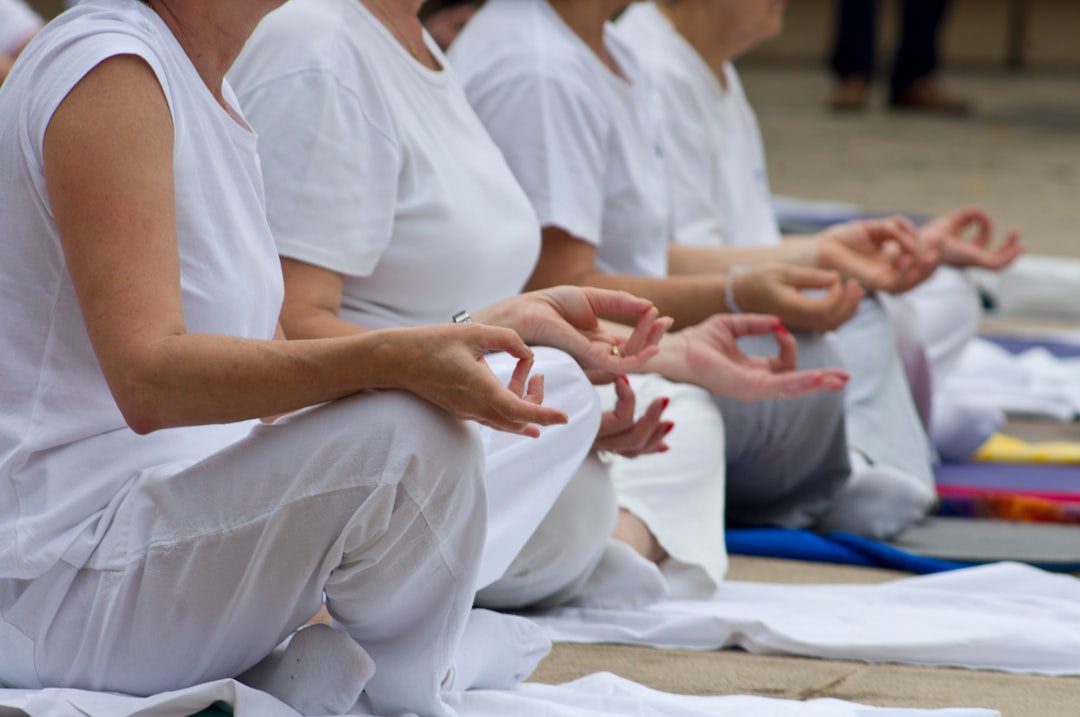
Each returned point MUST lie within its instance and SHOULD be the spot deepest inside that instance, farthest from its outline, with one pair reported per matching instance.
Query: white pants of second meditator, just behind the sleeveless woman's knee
(525, 479)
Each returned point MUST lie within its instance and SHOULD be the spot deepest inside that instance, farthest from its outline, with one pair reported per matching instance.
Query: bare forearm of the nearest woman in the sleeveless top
(196, 380)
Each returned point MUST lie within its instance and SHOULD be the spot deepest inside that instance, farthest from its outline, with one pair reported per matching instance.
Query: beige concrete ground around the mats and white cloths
(1020, 157)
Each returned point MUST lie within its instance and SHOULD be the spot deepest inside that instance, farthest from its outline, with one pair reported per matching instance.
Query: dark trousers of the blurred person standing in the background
(856, 52)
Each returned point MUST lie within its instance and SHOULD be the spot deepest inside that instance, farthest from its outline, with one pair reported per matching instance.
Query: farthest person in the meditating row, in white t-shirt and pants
(714, 161)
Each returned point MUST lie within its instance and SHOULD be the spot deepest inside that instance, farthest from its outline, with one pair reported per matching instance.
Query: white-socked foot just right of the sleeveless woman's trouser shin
(497, 653)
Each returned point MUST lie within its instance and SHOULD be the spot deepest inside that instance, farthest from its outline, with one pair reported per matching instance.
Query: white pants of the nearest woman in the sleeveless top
(377, 500)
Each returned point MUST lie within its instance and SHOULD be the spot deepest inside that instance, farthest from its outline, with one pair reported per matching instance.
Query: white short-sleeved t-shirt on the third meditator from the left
(577, 136)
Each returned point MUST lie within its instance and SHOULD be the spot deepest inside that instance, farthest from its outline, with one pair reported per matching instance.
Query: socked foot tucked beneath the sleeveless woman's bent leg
(321, 671)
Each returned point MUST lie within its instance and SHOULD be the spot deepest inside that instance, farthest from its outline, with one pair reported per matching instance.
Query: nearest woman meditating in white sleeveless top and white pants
(153, 534)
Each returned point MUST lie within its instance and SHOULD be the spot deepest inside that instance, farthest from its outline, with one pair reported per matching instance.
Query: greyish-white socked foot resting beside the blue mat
(879, 502)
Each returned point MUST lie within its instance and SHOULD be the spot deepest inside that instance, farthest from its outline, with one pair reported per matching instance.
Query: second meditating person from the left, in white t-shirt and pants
(407, 213)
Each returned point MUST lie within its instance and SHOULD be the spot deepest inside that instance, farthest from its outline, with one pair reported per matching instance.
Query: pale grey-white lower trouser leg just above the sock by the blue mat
(882, 416)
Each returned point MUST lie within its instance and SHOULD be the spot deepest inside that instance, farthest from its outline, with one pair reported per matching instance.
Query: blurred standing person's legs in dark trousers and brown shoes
(913, 85)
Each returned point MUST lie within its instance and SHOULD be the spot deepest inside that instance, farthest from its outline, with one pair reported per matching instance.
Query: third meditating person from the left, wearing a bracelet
(562, 97)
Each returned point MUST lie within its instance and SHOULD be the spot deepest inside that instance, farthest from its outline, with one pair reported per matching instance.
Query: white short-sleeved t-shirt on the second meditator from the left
(377, 168)
